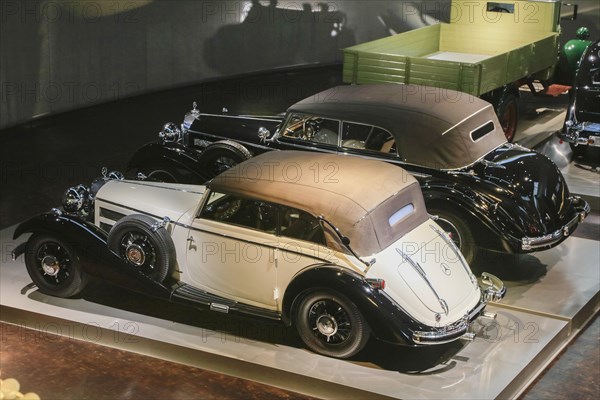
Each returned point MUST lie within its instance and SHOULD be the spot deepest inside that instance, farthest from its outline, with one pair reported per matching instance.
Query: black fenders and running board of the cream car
(386, 319)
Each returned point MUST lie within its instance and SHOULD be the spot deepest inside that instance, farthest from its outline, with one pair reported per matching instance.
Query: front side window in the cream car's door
(253, 214)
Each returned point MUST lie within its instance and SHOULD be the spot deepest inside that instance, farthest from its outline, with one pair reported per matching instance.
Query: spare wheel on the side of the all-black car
(220, 156)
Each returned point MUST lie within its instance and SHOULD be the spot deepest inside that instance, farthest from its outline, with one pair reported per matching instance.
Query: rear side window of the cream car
(297, 224)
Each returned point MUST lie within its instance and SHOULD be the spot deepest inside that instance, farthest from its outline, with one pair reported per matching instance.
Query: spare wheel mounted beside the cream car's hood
(150, 250)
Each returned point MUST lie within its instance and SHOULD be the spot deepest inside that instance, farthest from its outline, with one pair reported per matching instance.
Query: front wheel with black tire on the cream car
(54, 266)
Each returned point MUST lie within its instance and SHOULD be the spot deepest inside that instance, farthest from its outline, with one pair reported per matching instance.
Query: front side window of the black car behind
(312, 129)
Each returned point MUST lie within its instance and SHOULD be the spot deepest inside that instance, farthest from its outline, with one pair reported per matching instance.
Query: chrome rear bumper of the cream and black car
(493, 290)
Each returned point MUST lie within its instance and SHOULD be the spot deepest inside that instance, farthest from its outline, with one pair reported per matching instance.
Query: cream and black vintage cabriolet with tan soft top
(342, 248)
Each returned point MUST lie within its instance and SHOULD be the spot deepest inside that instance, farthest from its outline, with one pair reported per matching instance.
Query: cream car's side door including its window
(231, 249)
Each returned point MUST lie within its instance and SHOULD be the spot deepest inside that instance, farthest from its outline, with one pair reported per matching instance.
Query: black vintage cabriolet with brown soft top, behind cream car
(487, 194)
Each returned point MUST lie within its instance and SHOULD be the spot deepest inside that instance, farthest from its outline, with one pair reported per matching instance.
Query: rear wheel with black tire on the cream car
(330, 324)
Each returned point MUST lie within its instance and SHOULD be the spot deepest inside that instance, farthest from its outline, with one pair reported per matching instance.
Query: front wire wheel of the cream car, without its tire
(53, 263)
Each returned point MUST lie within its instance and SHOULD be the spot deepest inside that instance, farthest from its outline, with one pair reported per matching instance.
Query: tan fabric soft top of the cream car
(359, 196)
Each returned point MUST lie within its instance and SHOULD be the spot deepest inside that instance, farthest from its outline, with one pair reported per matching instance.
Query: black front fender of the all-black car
(178, 159)
